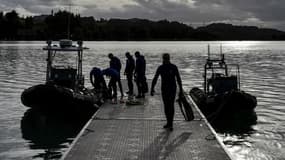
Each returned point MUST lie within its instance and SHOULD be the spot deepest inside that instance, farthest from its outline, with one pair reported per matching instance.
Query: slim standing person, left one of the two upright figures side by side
(129, 72)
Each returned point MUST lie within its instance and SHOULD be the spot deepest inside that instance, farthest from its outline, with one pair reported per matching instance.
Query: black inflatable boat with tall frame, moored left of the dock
(64, 87)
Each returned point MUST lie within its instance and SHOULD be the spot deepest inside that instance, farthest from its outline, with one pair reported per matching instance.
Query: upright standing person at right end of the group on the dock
(140, 74)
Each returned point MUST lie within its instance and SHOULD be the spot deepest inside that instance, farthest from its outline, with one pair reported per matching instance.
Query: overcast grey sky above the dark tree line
(262, 13)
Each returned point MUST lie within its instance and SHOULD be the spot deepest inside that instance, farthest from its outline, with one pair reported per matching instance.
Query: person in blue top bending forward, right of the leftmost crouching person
(114, 78)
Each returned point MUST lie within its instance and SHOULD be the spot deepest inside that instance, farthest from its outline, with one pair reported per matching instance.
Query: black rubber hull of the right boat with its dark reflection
(232, 110)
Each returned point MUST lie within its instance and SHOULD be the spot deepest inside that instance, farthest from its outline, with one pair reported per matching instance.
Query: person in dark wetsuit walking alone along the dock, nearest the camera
(169, 76)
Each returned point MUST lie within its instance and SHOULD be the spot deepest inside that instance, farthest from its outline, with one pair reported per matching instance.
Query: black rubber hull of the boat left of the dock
(52, 97)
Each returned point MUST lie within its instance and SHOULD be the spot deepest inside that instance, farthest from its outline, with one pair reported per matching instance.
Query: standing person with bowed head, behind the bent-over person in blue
(115, 64)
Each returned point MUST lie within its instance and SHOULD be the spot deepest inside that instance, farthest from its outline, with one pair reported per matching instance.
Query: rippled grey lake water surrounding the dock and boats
(27, 135)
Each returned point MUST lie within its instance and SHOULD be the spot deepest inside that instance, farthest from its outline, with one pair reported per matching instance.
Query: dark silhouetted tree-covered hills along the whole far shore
(57, 25)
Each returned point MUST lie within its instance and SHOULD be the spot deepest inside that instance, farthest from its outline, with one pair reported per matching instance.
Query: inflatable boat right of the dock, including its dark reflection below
(222, 101)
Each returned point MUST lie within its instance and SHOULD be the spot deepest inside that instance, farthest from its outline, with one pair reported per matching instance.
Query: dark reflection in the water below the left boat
(52, 133)
